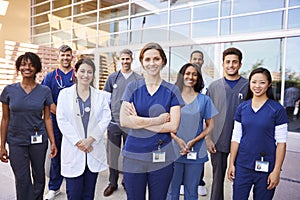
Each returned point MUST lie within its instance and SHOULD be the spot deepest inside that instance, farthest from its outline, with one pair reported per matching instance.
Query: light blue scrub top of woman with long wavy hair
(191, 125)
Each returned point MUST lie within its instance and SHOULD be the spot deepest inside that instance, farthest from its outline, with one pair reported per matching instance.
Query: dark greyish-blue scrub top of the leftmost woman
(25, 112)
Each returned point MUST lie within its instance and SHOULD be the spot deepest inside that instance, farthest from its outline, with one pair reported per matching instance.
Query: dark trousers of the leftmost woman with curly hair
(24, 158)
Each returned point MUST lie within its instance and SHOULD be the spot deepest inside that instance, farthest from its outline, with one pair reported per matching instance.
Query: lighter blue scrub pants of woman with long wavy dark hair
(189, 174)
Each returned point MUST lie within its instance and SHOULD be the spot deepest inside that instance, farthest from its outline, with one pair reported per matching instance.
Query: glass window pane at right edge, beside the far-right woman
(292, 82)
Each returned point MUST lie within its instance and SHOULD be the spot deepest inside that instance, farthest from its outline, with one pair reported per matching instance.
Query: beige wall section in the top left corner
(16, 23)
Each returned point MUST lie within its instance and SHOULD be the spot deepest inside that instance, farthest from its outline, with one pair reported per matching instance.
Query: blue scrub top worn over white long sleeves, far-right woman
(258, 133)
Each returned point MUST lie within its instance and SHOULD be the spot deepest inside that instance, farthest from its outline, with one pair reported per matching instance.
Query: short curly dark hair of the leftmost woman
(34, 58)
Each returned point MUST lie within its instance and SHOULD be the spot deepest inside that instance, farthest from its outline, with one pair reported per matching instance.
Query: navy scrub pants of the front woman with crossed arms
(138, 174)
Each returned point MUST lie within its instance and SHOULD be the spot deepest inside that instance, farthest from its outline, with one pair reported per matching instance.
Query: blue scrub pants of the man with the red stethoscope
(56, 179)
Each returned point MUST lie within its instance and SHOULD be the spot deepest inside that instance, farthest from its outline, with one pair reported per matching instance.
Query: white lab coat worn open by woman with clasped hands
(73, 160)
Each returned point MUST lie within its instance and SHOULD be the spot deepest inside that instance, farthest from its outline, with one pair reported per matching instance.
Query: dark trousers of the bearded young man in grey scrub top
(219, 165)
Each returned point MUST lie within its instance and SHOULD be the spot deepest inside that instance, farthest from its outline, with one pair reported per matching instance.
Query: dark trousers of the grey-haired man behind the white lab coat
(115, 137)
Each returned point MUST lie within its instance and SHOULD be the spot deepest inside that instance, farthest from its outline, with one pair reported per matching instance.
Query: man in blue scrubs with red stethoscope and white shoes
(60, 78)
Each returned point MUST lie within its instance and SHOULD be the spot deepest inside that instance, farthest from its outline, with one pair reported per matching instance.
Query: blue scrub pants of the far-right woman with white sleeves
(245, 179)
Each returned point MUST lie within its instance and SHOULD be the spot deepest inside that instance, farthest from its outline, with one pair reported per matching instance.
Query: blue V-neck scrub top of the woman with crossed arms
(140, 143)
